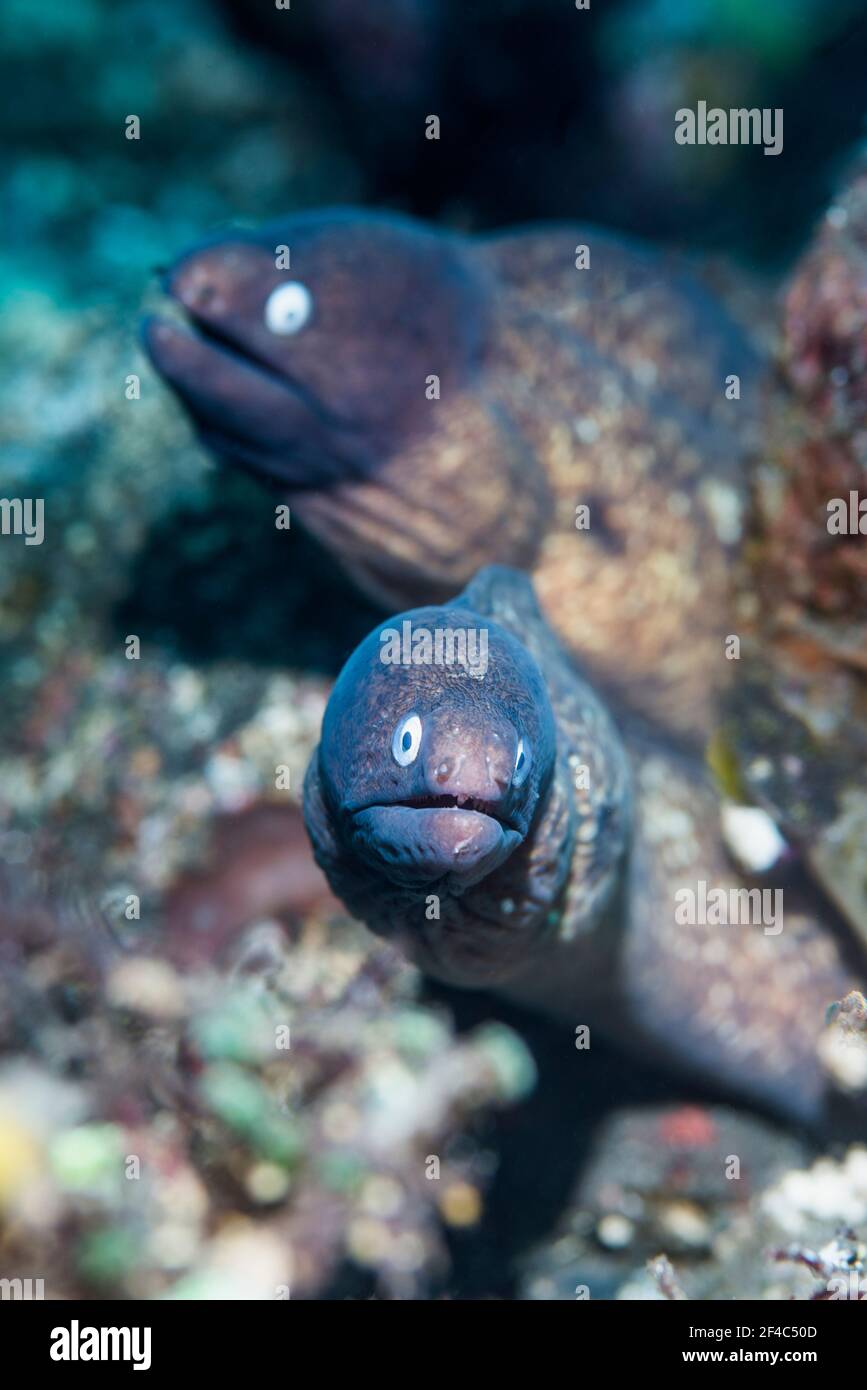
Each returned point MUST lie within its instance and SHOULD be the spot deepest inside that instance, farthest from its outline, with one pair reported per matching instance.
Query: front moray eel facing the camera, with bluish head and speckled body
(497, 825)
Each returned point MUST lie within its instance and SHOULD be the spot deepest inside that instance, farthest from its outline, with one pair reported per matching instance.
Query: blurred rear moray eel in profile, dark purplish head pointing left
(431, 404)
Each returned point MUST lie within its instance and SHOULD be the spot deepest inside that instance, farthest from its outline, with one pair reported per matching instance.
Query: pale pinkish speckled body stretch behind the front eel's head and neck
(736, 1004)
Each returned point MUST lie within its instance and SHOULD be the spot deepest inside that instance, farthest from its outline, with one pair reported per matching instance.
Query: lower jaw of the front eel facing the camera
(434, 842)
